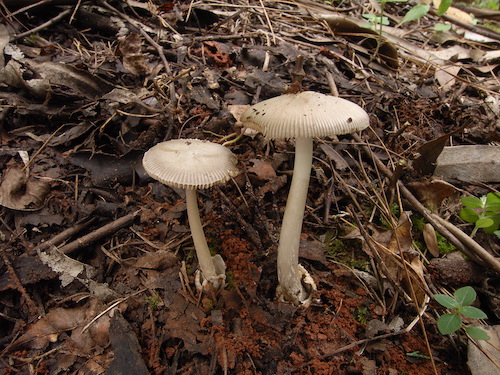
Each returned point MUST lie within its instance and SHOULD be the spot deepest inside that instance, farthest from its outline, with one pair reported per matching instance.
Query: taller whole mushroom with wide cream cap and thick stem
(301, 116)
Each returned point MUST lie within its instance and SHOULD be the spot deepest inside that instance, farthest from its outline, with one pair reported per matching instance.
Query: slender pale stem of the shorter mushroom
(205, 261)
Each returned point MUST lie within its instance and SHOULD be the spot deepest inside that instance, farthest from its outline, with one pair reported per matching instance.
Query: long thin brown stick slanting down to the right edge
(471, 248)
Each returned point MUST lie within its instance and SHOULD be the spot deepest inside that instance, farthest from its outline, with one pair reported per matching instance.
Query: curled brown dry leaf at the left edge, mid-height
(18, 192)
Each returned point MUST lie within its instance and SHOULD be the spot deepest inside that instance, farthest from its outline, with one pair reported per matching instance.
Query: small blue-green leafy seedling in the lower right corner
(460, 304)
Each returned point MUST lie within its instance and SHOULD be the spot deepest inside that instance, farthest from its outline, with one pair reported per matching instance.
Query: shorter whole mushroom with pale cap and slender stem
(193, 164)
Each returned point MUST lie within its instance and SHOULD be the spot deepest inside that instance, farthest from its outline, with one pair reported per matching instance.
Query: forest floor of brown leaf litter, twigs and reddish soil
(97, 262)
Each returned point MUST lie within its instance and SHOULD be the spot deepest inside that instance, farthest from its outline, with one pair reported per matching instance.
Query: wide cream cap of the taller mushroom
(306, 114)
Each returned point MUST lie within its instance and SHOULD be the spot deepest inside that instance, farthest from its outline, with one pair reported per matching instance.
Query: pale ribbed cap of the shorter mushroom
(190, 163)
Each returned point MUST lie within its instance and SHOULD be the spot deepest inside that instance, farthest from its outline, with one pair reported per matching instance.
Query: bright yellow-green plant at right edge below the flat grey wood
(483, 212)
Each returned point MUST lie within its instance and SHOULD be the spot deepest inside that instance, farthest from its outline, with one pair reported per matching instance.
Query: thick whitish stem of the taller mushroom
(289, 272)
